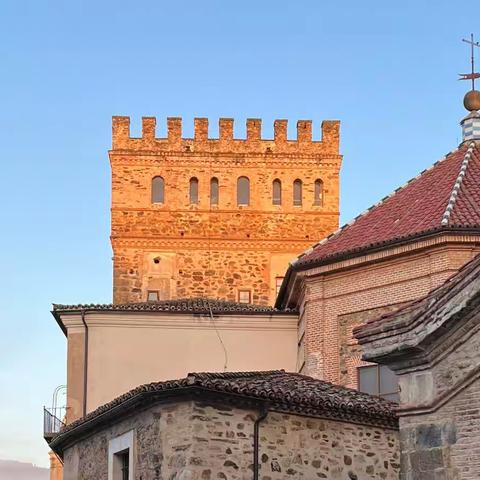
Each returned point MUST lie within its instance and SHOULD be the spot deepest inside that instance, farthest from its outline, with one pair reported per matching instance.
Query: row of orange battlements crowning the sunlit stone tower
(253, 143)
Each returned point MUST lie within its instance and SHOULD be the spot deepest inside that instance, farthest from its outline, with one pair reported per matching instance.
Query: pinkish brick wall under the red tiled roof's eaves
(332, 296)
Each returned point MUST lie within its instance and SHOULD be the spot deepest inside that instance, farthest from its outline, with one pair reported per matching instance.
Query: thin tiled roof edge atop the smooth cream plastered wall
(187, 305)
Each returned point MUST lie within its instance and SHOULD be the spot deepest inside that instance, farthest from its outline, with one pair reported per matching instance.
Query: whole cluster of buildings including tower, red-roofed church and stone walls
(381, 302)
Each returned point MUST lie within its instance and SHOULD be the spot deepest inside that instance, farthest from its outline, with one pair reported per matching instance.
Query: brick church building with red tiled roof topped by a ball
(407, 244)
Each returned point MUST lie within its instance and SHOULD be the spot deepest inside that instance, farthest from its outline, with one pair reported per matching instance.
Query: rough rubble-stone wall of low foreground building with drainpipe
(199, 441)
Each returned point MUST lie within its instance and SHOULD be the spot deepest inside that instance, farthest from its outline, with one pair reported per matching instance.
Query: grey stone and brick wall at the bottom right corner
(440, 408)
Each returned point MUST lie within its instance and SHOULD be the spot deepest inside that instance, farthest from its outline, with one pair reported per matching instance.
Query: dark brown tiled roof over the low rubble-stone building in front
(277, 389)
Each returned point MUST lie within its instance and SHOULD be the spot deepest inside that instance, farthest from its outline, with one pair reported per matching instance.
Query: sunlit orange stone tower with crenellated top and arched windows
(217, 217)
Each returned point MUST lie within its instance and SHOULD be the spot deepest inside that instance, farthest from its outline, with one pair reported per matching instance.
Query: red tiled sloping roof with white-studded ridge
(446, 196)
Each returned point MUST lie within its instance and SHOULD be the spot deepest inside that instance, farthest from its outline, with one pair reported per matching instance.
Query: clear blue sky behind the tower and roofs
(387, 70)
